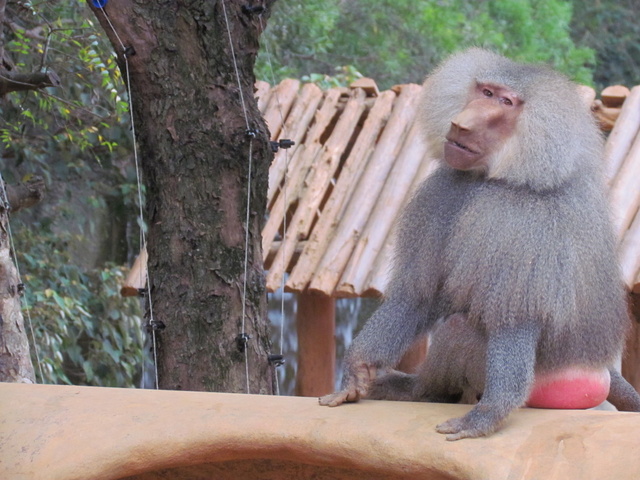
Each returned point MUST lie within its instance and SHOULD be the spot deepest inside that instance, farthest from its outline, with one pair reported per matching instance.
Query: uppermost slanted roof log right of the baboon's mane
(623, 134)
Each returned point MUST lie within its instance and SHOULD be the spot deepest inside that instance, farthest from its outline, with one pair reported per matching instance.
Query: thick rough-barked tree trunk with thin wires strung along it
(194, 150)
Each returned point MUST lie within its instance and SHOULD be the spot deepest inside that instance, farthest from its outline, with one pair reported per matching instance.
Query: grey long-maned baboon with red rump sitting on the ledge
(506, 253)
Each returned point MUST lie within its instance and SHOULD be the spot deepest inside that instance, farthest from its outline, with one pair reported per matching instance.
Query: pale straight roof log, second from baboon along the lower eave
(389, 204)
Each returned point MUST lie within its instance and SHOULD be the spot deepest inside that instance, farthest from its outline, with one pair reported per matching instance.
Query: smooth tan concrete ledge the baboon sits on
(61, 432)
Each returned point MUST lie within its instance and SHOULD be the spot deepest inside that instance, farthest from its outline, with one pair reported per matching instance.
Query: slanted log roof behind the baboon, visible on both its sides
(357, 157)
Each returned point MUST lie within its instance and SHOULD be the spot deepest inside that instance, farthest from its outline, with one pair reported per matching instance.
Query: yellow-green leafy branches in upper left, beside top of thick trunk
(83, 122)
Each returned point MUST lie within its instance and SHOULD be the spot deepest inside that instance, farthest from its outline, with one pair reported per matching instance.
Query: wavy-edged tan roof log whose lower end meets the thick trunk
(299, 165)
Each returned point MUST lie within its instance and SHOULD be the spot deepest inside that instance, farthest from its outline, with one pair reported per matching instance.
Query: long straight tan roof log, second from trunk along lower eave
(351, 171)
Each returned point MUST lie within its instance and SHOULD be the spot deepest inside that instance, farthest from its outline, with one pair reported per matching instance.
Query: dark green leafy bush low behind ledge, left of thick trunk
(86, 333)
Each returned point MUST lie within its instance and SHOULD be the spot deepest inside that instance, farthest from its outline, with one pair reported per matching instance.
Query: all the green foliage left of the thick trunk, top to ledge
(76, 136)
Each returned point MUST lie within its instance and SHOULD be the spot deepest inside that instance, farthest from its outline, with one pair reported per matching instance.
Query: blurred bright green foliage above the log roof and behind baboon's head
(399, 41)
